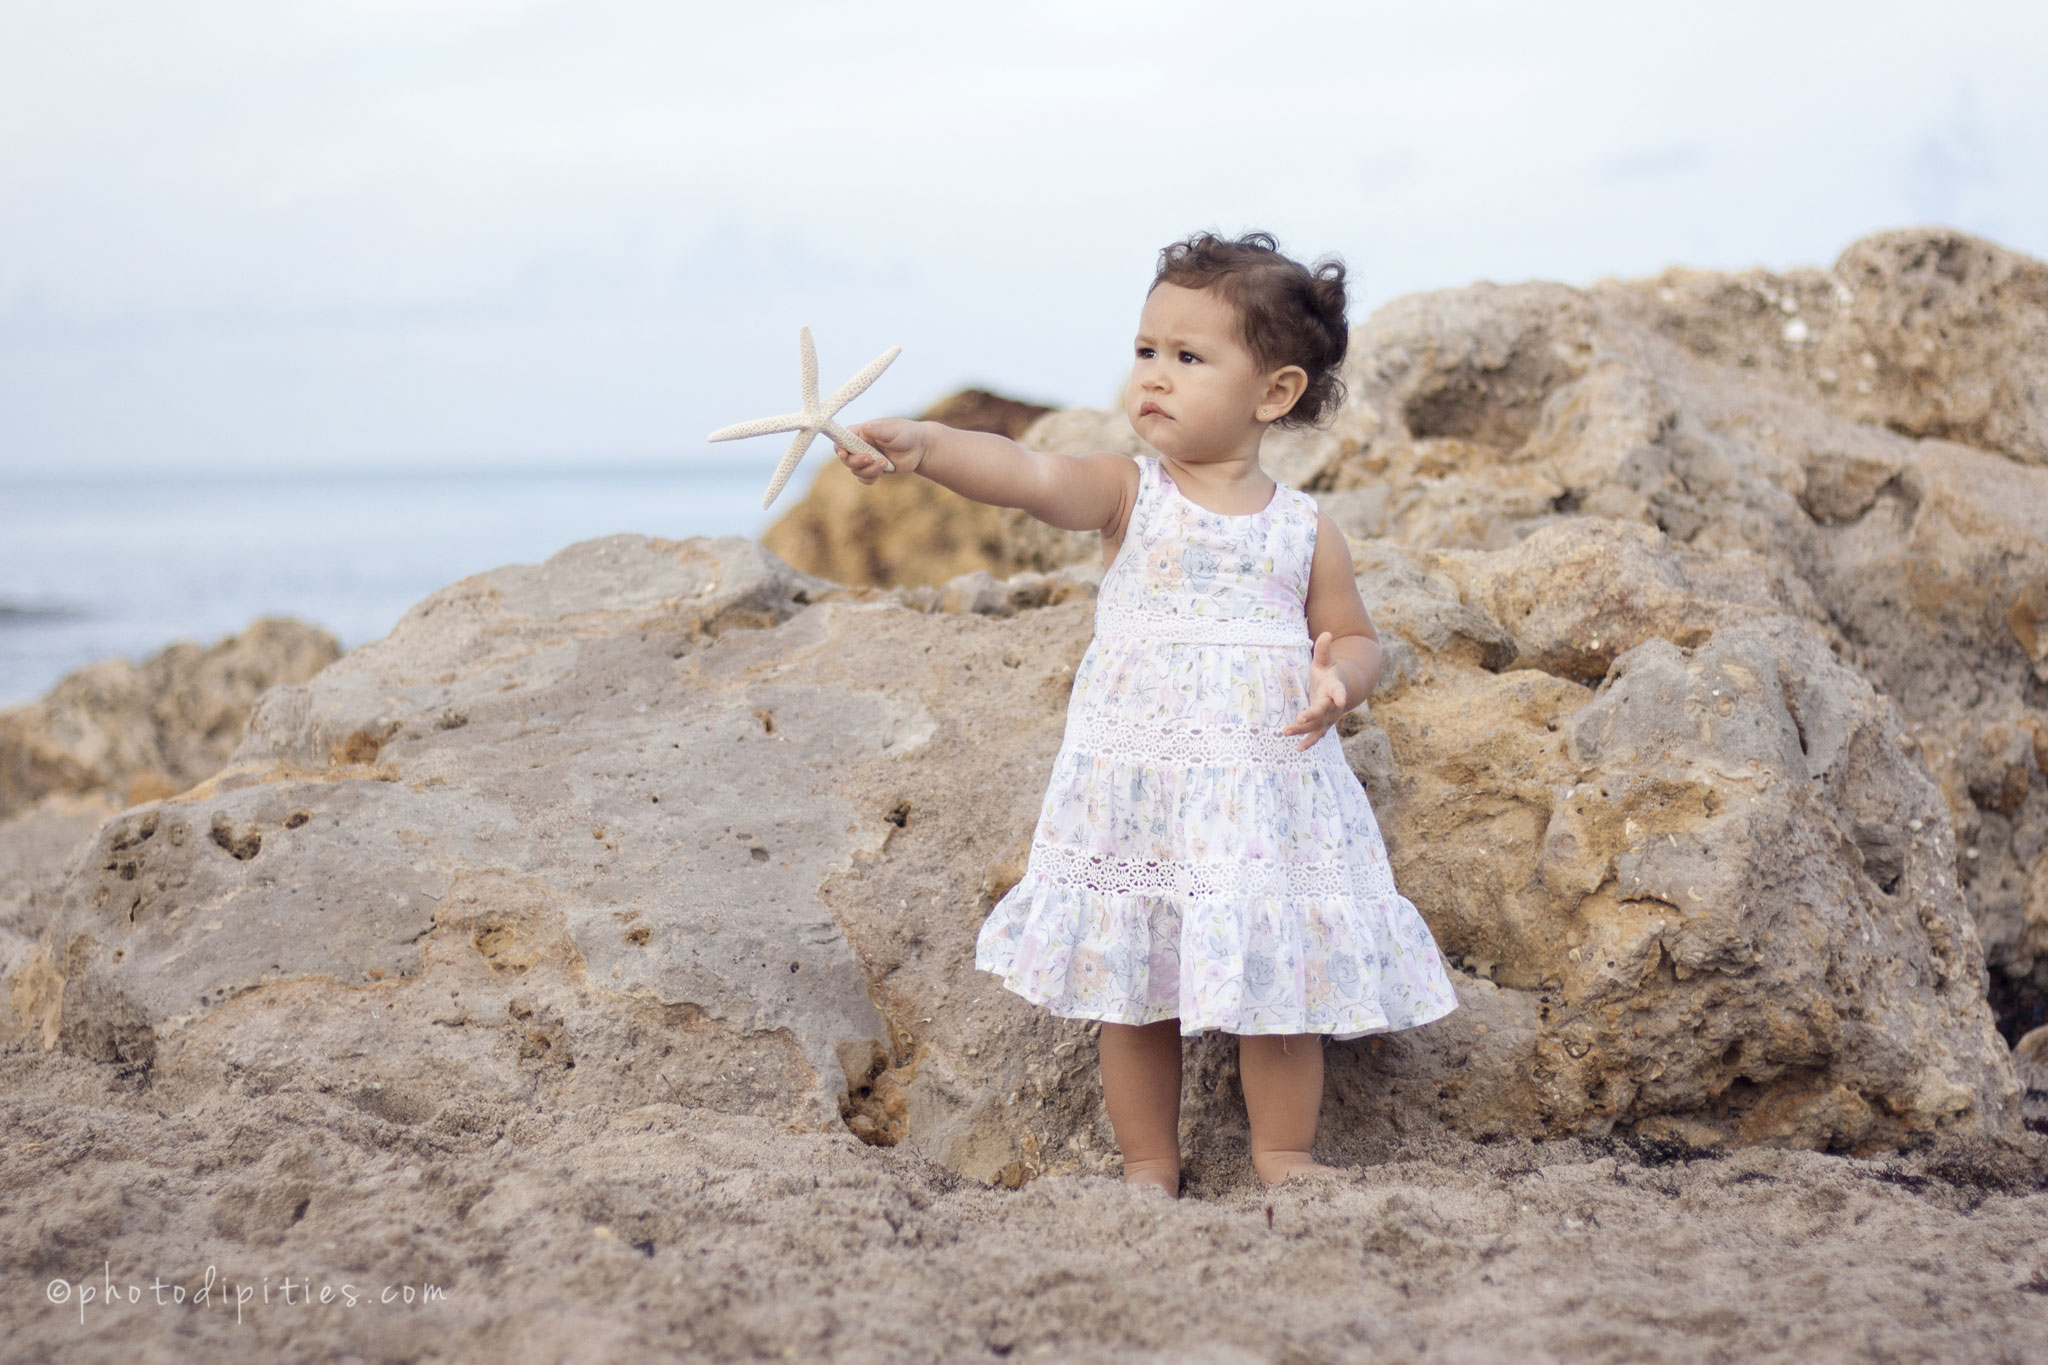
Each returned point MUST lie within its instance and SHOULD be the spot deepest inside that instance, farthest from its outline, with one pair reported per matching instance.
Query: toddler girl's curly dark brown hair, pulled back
(1289, 314)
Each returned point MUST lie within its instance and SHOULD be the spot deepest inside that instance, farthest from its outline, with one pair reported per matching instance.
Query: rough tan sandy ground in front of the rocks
(681, 1233)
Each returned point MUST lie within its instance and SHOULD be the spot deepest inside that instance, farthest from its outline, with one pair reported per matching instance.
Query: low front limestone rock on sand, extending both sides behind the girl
(669, 822)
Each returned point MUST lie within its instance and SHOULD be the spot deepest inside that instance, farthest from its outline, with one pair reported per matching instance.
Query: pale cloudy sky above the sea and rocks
(400, 234)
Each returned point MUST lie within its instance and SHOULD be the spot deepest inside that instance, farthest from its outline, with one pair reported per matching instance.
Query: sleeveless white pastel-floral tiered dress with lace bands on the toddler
(1189, 858)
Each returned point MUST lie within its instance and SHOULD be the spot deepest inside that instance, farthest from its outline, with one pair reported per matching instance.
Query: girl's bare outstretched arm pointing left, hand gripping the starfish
(1074, 492)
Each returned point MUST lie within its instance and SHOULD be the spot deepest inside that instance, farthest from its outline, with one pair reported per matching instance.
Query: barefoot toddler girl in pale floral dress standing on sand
(1195, 867)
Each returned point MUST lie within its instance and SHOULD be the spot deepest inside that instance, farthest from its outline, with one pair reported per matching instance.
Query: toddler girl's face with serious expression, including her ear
(1197, 392)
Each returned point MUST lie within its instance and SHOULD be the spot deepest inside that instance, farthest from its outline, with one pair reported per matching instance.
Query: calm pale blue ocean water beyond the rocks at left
(124, 566)
